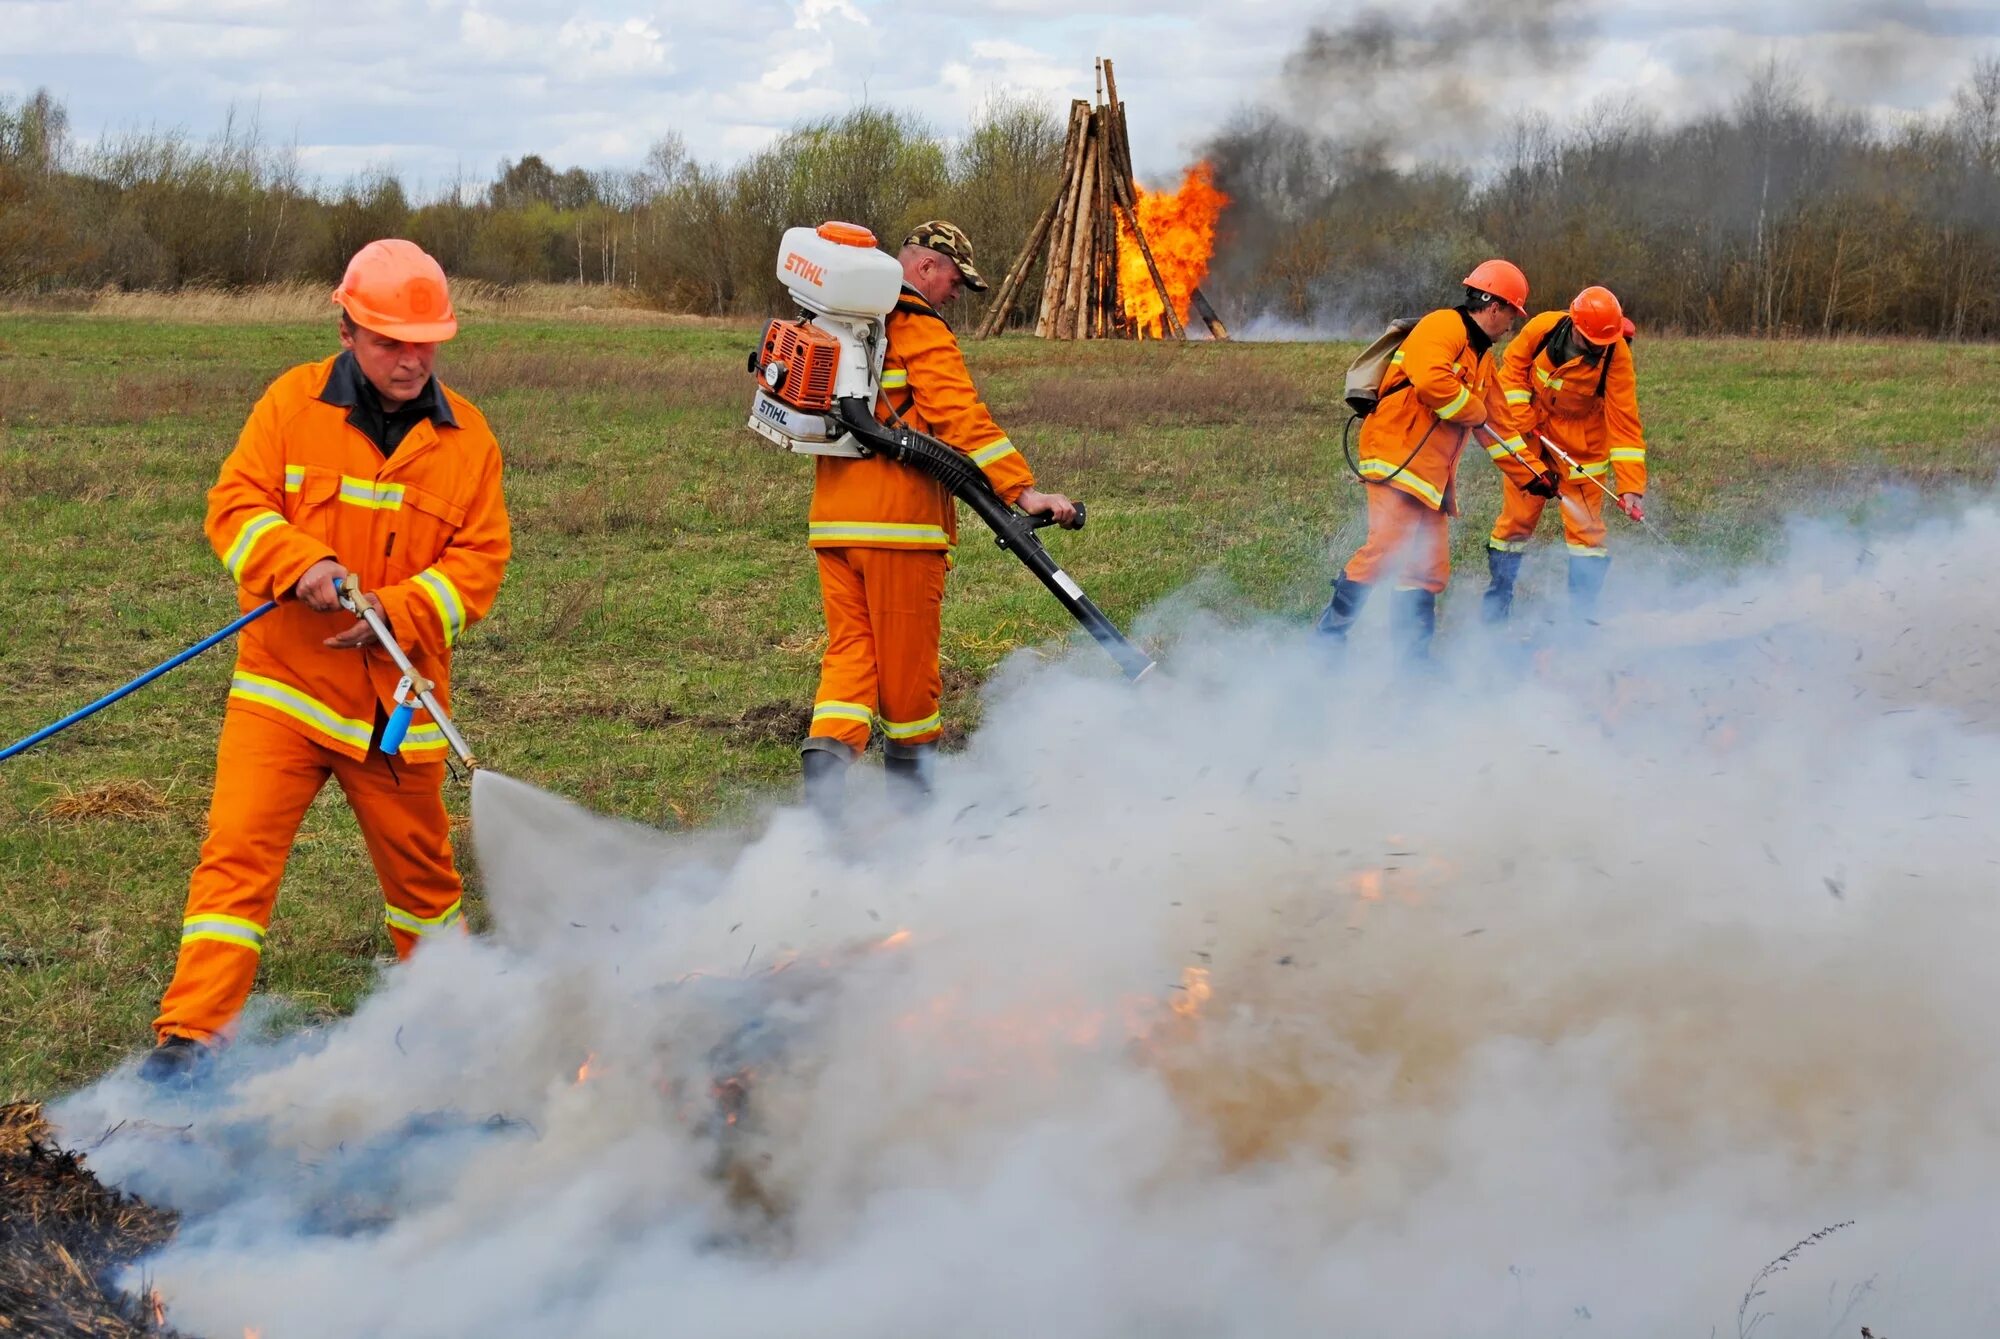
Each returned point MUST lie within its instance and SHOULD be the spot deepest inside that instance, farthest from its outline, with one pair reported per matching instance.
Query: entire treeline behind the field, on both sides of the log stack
(1773, 217)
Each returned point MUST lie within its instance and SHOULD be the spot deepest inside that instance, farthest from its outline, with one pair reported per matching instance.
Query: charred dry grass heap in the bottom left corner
(63, 1234)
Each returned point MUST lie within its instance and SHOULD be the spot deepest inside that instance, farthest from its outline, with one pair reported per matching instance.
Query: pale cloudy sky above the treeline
(427, 87)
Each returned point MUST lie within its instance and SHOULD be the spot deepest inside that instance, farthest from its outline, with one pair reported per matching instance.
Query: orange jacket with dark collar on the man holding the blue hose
(425, 531)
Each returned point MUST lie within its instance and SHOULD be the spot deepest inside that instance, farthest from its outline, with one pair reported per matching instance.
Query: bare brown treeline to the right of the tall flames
(1773, 217)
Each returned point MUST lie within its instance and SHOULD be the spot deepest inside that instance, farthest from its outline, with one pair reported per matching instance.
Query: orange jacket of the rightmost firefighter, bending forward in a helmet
(1585, 407)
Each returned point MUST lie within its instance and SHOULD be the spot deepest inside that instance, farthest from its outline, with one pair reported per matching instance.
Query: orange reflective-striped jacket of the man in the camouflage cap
(879, 505)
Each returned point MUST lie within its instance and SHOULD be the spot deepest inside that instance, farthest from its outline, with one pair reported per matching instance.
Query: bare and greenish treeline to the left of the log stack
(165, 211)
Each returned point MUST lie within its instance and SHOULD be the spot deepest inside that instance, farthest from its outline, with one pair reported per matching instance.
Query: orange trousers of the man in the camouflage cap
(883, 617)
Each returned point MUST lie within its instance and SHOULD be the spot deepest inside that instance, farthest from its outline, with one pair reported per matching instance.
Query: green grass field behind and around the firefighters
(655, 647)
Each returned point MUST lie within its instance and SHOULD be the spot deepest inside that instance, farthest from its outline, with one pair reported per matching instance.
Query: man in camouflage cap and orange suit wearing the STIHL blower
(885, 533)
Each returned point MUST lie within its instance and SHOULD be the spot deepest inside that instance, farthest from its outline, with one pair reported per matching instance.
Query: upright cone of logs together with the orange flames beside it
(1121, 263)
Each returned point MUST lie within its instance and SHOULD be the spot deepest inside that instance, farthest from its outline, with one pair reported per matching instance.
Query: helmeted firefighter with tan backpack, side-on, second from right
(1433, 397)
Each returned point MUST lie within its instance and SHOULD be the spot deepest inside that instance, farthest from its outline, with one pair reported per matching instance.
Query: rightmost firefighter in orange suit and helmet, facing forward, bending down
(1569, 379)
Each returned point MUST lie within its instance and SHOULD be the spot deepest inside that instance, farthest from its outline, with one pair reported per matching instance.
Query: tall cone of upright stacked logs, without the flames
(1079, 235)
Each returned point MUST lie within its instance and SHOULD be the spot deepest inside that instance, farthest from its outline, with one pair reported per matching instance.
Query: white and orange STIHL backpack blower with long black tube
(819, 379)
